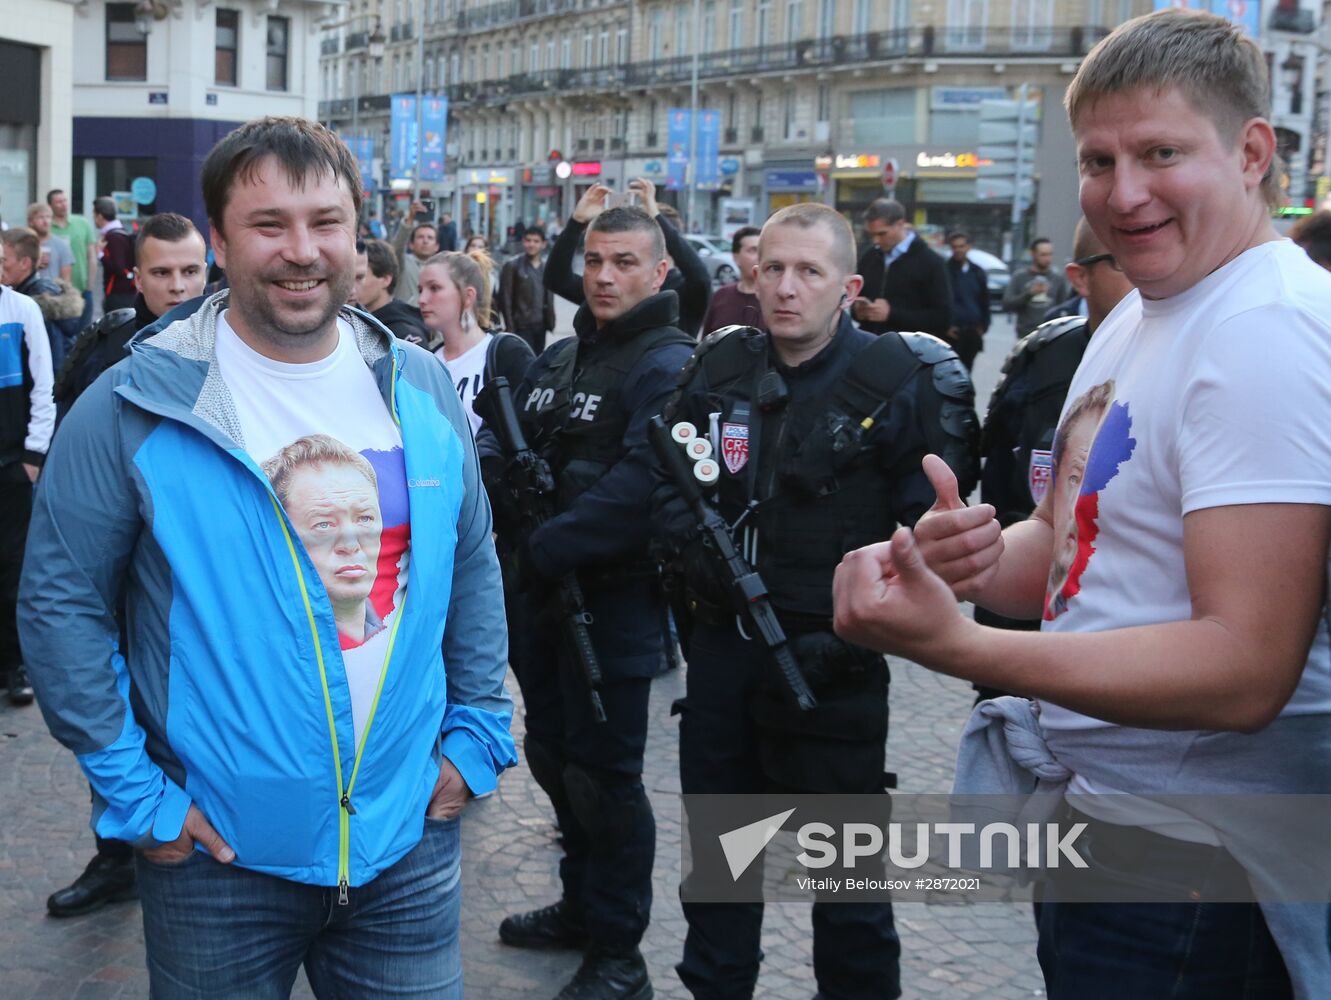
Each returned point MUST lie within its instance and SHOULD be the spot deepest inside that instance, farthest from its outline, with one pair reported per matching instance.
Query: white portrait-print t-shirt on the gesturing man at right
(1220, 396)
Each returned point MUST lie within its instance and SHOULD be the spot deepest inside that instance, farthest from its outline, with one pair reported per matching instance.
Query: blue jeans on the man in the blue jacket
(224, 933)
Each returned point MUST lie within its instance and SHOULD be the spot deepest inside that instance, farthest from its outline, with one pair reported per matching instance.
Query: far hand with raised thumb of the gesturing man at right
(960, 544)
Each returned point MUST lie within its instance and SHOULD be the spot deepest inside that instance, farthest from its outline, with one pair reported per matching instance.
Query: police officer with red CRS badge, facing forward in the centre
(819, 429)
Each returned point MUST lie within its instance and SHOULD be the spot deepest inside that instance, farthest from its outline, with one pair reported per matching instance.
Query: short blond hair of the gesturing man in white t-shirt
(1209, 59)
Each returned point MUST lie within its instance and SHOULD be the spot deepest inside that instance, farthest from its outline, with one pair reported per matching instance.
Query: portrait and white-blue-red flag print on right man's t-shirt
(1093, 441)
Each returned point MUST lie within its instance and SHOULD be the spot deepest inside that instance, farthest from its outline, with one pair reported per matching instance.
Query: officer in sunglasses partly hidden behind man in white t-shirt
(1019, 435)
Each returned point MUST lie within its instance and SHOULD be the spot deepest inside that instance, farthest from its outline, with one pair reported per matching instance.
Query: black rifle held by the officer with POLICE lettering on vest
(533, 491)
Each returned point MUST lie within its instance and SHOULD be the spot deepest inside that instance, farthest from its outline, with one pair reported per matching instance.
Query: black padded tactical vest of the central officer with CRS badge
(815, 480)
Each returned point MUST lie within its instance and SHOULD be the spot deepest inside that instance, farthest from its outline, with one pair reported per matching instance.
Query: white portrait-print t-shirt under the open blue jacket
(357, 533)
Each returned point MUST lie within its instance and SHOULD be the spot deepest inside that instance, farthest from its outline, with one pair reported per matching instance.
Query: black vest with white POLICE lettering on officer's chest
(576, 417)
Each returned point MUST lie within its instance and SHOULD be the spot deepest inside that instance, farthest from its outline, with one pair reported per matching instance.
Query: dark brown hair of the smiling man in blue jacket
(301, 147)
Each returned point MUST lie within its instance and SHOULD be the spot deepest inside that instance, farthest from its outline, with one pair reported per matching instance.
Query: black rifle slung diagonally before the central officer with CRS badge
(747, 591)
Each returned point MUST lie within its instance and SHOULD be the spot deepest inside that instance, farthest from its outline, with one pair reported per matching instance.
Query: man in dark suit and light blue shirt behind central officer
(906, 284)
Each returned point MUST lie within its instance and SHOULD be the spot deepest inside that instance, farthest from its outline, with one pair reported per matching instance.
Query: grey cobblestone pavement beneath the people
(509, 864)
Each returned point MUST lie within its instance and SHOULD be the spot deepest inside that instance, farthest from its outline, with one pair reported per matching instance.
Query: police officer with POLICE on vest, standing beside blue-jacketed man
(585, 408)
